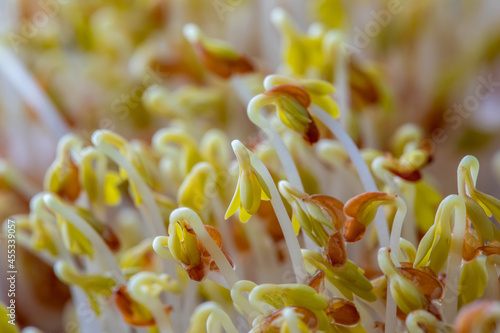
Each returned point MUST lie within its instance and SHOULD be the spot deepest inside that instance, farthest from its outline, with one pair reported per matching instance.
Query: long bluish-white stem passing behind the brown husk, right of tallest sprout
(360, 165)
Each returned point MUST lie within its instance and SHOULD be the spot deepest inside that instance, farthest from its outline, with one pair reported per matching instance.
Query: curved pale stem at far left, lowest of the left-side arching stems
(101, 249)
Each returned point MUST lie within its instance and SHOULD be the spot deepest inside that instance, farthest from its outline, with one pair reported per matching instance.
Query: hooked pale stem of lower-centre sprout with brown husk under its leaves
(199, 228)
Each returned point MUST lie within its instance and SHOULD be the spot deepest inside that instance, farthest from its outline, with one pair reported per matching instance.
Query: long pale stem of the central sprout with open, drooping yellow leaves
(286, 226)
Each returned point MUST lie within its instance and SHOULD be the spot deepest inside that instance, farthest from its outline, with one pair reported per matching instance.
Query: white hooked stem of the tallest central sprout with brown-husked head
(253, 112)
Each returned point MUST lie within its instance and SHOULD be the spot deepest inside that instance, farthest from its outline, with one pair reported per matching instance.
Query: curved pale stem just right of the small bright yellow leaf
(154, 217)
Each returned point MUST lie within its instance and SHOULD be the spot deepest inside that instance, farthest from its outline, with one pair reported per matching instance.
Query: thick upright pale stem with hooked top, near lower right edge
(450, 296)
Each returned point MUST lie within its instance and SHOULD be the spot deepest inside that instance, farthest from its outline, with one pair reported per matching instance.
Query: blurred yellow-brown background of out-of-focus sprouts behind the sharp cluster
(77, 66)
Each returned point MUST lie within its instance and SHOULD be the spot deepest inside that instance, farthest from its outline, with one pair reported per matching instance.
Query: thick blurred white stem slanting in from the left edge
(25, 84)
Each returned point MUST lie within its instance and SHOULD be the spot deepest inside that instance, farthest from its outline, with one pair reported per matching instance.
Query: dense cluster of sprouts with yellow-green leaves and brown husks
(202, 227)
